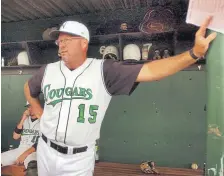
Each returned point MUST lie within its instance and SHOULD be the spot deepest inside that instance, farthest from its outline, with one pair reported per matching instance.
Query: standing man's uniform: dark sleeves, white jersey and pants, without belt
(75, 105)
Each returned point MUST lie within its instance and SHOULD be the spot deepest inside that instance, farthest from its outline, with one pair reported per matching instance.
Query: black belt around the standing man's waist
(64, 150)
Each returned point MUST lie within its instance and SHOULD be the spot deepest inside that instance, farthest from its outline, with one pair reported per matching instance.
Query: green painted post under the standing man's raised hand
(215, 110)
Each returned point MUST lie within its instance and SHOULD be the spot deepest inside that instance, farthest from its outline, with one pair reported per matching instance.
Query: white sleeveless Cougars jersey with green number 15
(75, 102)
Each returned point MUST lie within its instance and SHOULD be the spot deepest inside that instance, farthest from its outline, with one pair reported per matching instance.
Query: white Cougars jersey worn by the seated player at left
(30, 133)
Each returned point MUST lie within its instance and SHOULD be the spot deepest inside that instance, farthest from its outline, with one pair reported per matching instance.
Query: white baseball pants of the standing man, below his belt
(52, 163)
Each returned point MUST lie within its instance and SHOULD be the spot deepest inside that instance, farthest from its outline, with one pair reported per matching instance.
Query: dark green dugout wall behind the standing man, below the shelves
(164, 121)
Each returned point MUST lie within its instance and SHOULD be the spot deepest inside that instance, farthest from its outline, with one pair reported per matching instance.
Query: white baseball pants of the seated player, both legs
(9, 157)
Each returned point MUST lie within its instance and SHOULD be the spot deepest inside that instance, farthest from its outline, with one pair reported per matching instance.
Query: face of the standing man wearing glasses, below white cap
(71, 47)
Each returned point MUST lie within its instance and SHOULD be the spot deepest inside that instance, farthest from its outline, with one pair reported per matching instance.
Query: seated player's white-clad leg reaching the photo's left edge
(9, 157)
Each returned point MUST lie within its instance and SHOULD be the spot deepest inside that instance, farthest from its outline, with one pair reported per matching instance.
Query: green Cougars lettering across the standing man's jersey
(54, 96)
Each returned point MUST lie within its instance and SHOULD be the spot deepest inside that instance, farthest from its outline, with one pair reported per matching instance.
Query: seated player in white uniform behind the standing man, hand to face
(27, 130)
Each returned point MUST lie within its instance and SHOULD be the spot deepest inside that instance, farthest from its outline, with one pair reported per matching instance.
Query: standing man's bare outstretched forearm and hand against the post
(160, 69)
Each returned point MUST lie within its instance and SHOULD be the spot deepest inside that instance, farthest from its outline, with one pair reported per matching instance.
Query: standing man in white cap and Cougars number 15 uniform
(77, 91)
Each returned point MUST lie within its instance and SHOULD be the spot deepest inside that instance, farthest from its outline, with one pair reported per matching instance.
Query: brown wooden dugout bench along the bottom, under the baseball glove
(116, 169)
